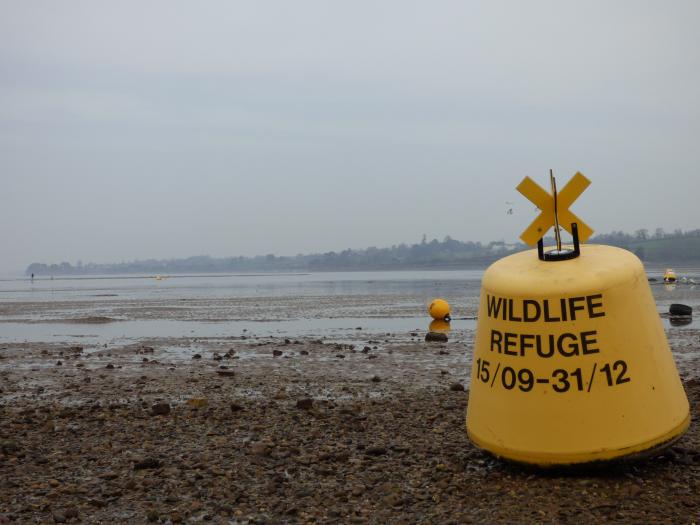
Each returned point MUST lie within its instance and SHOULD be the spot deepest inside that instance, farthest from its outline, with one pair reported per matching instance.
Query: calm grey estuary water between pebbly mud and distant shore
(388, 302)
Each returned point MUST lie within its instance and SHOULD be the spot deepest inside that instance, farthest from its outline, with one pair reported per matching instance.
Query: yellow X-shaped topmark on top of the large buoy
(545, 202)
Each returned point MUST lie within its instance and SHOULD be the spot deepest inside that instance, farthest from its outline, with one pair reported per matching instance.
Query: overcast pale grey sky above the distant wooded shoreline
(174, 128)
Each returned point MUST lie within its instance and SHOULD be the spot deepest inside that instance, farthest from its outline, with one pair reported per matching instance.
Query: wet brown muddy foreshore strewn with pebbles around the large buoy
(255, 429)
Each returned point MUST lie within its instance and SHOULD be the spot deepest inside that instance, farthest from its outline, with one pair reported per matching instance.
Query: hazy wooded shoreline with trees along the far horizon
(662, 247)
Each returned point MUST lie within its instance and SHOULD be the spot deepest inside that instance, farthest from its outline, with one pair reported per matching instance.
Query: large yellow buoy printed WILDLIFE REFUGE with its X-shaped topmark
(571, 362)
